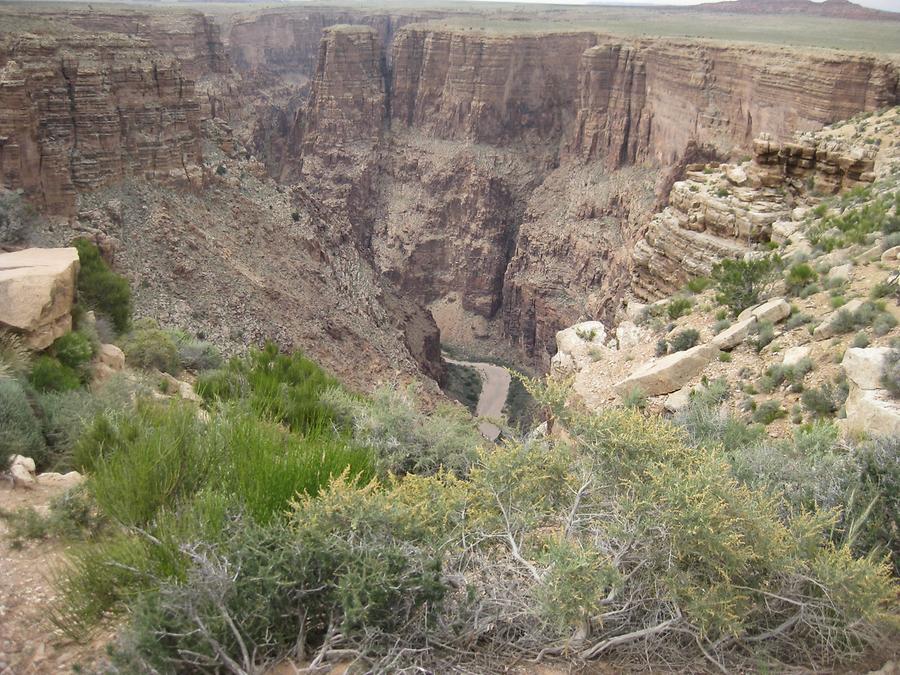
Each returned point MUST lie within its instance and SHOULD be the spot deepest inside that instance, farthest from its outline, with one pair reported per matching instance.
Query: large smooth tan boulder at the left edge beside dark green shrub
(37, 290)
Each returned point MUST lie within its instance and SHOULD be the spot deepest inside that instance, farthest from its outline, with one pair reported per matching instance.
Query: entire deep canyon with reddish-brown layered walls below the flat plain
(385, 179)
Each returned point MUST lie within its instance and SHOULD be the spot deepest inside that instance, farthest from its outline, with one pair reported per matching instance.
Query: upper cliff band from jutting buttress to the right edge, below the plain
(650, 99)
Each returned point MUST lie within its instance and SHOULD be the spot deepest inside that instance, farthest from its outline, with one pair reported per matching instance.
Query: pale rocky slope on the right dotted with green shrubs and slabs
(811, 350)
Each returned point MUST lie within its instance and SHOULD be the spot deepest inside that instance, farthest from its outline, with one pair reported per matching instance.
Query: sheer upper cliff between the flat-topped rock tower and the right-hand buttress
(486, 88)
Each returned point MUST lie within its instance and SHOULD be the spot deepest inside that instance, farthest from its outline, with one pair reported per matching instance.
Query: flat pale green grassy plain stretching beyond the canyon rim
(508, 18)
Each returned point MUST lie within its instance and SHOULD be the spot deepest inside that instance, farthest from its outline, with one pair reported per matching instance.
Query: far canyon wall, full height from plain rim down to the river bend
(519, 172)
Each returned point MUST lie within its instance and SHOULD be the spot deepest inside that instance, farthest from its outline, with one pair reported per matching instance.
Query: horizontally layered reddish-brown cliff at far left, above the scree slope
(81, 111)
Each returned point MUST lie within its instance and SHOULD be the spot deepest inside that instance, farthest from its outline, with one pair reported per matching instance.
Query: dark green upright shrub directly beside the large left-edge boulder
(100, 288)
